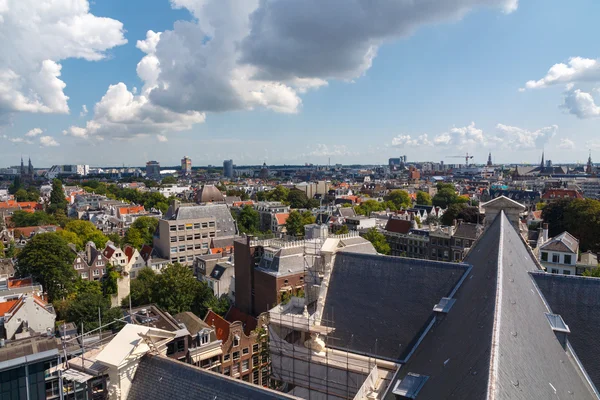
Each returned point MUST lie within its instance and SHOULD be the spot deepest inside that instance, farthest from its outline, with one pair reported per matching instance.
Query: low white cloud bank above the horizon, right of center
(471, 137)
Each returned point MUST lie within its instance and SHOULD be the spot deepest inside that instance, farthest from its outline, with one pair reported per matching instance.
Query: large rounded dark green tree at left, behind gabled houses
(49, 260)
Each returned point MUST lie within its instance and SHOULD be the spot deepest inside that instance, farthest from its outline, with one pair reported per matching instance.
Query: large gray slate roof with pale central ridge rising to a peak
(496, 336)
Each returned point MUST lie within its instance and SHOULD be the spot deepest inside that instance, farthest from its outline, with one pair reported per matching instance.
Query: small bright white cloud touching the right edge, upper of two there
(578, 69)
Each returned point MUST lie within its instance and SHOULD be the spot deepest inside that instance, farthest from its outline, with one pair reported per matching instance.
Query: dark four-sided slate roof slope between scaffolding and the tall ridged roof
(380, 304)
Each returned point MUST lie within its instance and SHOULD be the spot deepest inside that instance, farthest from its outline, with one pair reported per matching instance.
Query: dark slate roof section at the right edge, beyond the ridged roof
(577, 300)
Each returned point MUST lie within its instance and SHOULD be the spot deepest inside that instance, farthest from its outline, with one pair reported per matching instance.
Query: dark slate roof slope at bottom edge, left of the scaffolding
(160, 378)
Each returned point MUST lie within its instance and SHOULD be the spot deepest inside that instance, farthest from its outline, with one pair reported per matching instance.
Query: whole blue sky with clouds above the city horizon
(114, 82)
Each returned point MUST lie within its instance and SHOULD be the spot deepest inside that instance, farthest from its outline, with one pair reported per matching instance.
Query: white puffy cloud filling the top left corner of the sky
(37, 35)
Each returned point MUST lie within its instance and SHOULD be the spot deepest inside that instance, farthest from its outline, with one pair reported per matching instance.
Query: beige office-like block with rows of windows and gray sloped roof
(187, 230)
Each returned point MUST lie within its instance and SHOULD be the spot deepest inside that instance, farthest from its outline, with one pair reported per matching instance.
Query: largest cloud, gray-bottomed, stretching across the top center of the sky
(242, 55)
